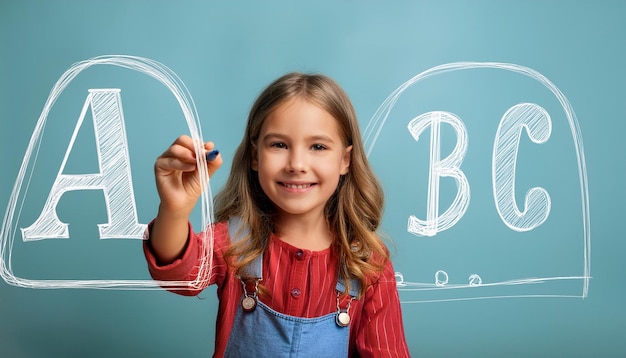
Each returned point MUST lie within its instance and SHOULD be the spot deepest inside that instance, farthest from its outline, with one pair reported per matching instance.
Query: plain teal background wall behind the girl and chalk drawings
(226, 52)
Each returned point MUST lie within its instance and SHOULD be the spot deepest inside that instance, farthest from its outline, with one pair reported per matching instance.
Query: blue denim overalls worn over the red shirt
(264, 332)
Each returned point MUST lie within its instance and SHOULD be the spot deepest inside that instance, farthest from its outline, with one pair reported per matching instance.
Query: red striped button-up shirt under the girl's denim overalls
(301, 283)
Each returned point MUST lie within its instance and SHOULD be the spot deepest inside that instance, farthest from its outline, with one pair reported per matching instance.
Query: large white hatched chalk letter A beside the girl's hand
(114, 177)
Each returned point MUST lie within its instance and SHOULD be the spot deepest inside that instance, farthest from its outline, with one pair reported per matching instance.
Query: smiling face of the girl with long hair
(300, 156)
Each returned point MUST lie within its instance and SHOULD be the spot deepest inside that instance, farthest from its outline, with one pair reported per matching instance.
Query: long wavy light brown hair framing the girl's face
(353, 212)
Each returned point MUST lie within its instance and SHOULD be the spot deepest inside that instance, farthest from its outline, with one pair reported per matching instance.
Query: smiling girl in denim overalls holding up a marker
(299, 267)
